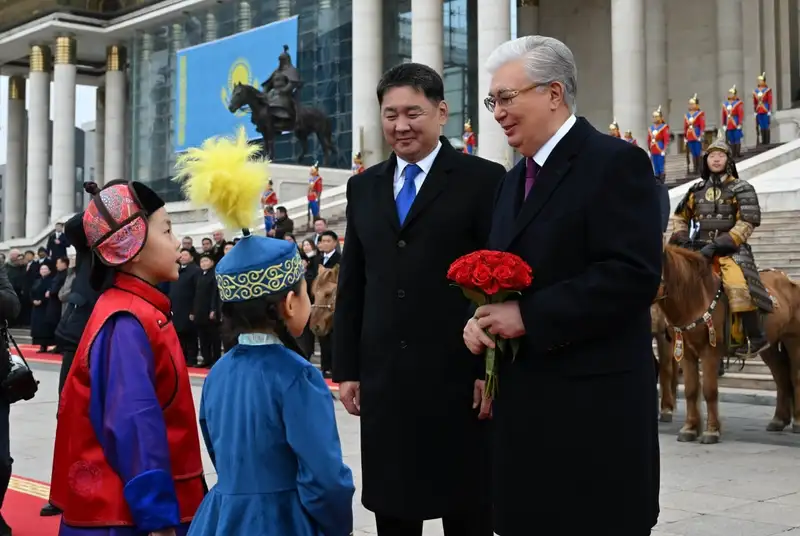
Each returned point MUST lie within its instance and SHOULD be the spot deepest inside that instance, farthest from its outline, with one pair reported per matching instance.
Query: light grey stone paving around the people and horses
(748, 485)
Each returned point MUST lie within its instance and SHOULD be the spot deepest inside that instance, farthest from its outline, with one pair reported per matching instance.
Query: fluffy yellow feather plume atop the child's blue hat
(223, 175)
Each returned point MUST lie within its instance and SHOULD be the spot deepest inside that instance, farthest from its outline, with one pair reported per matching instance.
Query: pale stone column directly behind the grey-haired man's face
(494, 29)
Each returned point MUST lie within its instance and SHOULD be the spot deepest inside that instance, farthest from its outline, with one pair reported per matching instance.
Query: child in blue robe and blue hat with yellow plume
(266, 414)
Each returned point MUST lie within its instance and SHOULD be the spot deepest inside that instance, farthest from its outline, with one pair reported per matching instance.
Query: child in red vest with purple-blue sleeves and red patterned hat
(127, 454)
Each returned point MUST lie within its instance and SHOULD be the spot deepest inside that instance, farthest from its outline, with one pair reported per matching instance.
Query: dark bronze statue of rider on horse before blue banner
(277, 110)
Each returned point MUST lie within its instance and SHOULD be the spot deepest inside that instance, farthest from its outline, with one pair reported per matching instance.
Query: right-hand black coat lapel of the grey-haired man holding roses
(550, 176)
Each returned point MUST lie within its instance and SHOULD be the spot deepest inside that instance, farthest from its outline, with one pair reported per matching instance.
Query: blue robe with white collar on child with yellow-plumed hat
(268, 422)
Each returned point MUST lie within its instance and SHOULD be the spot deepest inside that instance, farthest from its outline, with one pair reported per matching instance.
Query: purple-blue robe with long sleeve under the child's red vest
(127, 418)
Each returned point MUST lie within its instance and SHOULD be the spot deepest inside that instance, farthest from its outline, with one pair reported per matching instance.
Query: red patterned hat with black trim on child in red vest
(115, 222)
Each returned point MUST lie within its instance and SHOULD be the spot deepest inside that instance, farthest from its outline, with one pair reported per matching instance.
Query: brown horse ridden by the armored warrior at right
(694, 305)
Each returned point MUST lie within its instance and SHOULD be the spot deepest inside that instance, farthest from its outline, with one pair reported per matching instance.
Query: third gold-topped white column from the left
(65, 72)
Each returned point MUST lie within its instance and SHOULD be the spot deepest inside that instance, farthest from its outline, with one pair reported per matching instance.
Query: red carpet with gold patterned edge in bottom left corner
(21, 509)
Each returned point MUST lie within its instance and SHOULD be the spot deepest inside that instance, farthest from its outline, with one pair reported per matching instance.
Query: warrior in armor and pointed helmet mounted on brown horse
(716, 301)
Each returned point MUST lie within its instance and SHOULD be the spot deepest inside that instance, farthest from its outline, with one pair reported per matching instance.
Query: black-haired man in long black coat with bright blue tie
(398, 353)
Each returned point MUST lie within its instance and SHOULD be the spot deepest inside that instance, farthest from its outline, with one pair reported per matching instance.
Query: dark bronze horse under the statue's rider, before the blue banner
(270, 124)
